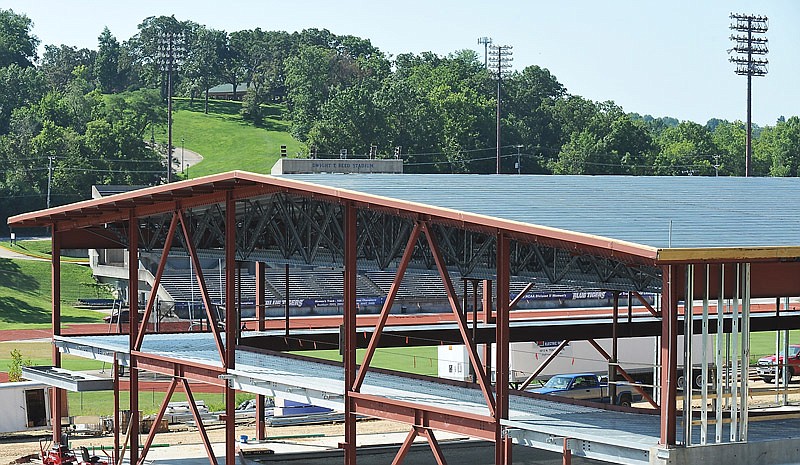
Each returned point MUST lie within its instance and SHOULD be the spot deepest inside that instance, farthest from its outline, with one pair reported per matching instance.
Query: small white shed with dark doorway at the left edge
(26, 406)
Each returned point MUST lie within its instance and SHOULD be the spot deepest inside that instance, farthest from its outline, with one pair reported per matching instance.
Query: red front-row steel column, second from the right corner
(502, 442)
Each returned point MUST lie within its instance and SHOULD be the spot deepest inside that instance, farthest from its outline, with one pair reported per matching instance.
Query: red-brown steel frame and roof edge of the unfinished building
(241, 216)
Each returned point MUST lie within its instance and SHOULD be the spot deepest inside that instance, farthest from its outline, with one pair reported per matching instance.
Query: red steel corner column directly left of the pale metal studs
(669, 358)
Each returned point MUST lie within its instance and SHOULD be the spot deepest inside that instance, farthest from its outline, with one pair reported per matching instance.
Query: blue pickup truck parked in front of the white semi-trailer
(587, 386)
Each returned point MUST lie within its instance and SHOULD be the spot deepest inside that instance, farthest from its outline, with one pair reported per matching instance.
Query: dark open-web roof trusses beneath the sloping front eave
(302, 231)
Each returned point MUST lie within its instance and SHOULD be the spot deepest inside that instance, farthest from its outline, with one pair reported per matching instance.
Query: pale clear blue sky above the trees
(664, 58)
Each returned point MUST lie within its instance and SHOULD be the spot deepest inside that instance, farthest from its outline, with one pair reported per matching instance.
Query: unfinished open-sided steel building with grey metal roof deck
(277, 264)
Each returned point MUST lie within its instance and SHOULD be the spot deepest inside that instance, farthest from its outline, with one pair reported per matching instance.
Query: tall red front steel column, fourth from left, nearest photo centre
(350, 342)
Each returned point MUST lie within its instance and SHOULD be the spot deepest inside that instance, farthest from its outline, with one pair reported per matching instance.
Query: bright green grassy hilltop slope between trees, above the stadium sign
(225, 140)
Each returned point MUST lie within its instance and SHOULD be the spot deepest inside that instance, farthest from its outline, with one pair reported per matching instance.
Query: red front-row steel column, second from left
(133, 325)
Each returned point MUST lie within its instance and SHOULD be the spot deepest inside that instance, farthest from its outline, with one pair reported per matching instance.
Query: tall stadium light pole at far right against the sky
(750, 49)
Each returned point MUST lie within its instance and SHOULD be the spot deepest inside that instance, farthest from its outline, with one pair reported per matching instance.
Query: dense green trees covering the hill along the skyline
(92, 113)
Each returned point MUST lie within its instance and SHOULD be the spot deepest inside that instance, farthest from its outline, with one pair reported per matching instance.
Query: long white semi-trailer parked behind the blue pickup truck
(638, 356)
